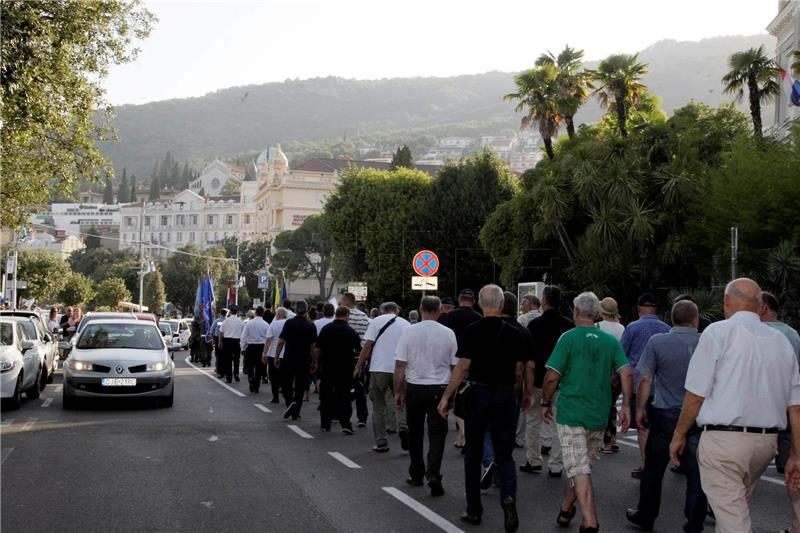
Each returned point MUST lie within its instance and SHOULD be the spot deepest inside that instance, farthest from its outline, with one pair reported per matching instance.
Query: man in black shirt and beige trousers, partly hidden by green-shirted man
(545, 330)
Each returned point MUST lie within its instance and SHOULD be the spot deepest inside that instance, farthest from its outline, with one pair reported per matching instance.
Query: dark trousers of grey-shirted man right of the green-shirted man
(656, 459)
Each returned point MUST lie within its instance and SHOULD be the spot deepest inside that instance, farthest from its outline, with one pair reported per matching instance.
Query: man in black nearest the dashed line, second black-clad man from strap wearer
(298, 336)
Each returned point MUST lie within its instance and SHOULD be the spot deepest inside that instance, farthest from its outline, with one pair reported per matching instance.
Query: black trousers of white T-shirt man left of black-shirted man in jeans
(421, 403)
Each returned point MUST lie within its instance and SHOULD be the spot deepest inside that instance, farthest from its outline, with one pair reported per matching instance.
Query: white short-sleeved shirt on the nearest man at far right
(747, 373)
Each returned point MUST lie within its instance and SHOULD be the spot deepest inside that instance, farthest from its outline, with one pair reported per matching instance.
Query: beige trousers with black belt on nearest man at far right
(731, 464)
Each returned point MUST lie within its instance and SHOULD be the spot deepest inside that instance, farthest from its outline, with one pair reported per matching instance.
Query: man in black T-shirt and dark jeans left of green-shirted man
(493, 352)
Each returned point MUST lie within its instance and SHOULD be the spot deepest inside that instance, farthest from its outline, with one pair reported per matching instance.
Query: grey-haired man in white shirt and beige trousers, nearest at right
(742, 378)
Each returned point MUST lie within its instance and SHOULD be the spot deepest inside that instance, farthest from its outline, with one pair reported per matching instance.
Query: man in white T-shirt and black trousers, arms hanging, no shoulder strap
(425, 357)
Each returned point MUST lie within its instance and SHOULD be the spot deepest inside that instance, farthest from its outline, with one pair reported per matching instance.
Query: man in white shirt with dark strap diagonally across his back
(380, 342)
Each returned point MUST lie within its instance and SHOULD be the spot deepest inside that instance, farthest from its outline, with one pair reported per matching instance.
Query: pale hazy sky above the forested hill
(199, 47)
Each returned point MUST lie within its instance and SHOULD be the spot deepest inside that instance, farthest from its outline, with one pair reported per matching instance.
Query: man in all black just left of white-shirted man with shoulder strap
(334, 354)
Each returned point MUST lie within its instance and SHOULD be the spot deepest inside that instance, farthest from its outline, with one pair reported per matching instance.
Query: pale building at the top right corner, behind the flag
(785, 27)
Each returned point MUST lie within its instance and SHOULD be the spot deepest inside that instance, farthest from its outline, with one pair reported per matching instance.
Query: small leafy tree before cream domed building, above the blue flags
(307, 252)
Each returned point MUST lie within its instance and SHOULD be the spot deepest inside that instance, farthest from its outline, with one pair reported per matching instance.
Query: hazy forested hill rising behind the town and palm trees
(242, 119)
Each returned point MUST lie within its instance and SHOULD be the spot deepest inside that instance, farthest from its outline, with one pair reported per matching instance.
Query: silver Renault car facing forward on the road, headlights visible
(119, 358)
